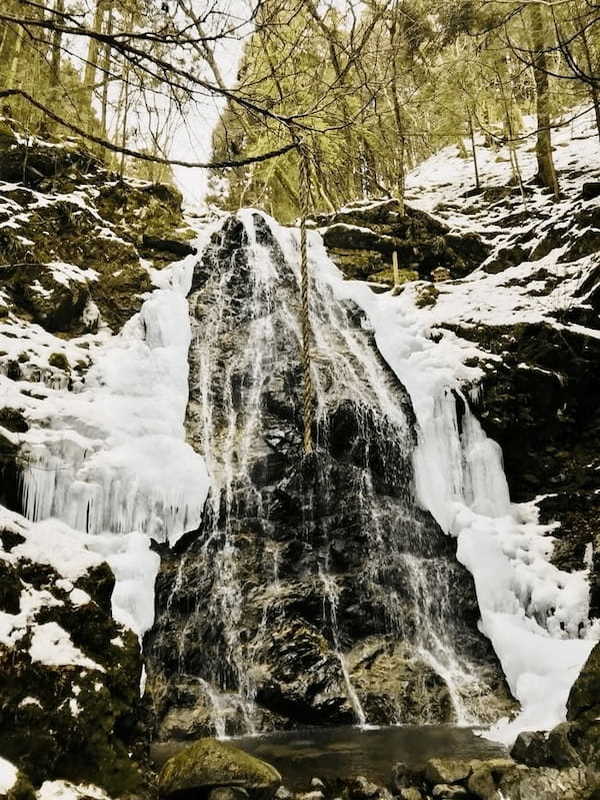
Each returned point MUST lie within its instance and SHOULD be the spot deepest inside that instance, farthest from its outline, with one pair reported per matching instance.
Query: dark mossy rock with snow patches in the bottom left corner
(69, 721)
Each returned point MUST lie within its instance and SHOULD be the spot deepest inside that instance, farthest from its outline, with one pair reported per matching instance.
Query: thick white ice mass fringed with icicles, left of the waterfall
(113, 456)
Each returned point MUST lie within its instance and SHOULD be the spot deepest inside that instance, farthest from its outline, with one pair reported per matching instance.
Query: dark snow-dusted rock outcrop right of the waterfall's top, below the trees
(361, 240)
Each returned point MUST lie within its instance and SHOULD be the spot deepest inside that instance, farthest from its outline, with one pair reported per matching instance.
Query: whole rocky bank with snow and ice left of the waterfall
(93, 393)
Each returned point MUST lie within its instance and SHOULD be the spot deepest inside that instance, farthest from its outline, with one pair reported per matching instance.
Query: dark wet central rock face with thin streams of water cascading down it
(315, 592)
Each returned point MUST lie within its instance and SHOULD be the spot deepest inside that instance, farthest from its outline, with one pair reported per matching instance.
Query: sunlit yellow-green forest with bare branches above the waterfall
(377, 85)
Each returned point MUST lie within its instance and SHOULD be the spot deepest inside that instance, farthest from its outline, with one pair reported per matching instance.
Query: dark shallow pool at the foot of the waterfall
(333, 753)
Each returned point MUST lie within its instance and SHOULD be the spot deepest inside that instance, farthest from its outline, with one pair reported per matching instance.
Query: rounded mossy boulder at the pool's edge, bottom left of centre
(208, 763)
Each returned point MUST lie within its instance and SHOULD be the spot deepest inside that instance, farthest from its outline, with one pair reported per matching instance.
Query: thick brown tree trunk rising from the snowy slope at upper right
(543, 148)
